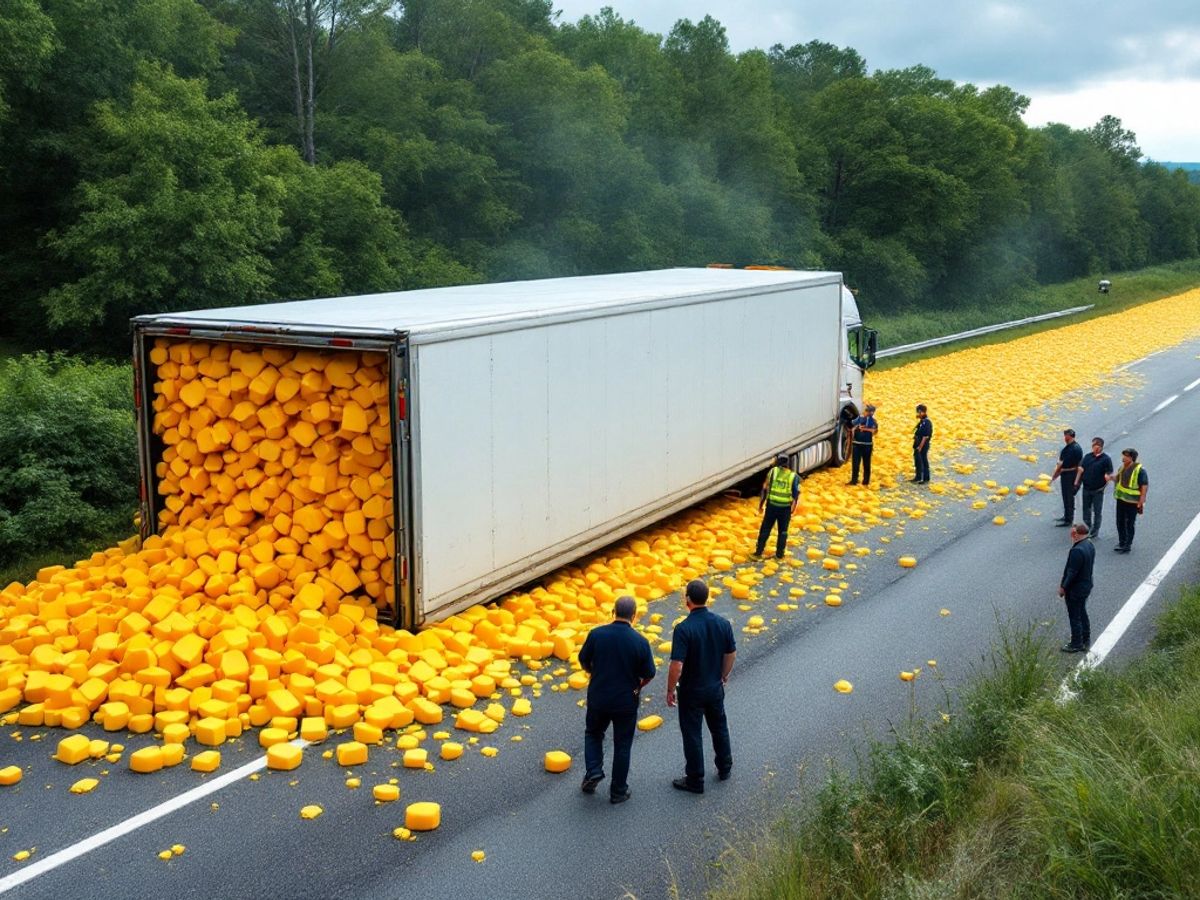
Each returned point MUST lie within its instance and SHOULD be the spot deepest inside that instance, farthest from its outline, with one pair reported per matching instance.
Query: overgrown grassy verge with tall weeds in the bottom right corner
(1016, 796)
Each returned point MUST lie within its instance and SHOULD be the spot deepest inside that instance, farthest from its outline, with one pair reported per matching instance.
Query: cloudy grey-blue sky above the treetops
(1138, 61)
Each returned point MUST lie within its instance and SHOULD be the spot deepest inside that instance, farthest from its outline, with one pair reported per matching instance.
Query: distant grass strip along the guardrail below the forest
(1129, 290)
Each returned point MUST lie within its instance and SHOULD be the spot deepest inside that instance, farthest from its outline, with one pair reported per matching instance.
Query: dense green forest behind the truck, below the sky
(178, 154)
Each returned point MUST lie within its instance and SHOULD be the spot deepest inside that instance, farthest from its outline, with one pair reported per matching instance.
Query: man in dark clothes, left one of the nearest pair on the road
(621, 664)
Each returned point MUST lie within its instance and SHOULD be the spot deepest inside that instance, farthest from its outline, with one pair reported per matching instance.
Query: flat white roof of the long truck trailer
(439, 310)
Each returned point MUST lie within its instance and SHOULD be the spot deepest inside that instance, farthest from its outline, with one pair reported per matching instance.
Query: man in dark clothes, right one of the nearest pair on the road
(703, 653)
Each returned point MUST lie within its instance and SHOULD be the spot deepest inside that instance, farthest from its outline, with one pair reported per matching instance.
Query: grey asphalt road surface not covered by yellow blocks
(545, 839)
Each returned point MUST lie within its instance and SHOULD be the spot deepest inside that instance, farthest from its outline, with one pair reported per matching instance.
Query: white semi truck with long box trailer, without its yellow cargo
(537, 422)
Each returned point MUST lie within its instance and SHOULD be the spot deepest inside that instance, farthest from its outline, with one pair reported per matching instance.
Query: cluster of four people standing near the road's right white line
(1091, 473)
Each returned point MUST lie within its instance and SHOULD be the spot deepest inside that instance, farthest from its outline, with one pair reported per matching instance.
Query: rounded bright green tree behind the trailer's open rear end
(178, 208)
